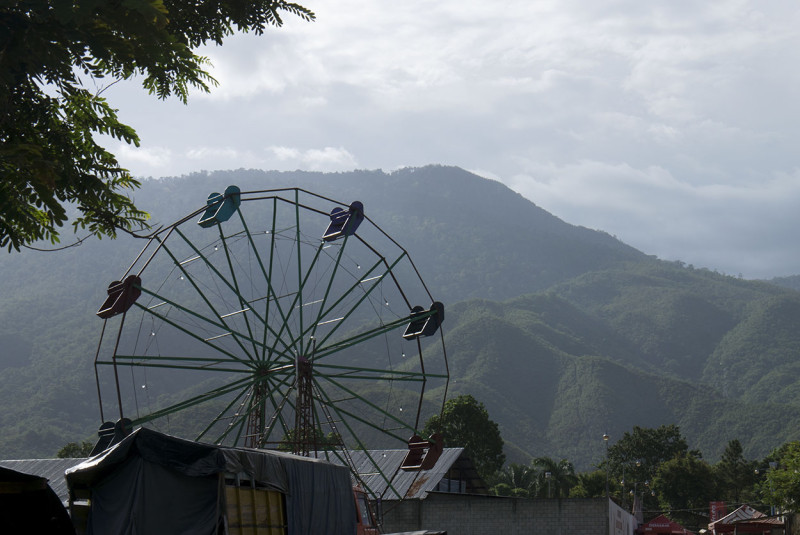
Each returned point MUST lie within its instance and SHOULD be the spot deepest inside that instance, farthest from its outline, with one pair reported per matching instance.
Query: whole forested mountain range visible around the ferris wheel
(565, 333)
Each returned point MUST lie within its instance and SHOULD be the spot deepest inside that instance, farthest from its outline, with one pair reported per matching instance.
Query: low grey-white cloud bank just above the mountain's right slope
(709, 225)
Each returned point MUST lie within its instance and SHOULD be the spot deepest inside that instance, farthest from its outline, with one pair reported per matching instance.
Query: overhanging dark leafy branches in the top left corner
(51, 54)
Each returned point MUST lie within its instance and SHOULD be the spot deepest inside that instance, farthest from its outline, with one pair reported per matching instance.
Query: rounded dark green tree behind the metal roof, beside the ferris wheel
(465, 423)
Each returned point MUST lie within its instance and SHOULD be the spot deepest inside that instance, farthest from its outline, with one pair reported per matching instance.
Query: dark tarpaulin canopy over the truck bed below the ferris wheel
(152, 483)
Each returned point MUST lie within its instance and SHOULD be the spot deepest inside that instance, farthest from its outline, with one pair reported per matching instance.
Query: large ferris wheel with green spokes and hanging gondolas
(278, 322)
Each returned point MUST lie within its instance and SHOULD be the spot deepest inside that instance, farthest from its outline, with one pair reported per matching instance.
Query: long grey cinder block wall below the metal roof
(461, 514)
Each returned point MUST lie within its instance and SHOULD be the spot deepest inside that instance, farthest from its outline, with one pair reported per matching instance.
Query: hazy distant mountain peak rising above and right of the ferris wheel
(471, 237)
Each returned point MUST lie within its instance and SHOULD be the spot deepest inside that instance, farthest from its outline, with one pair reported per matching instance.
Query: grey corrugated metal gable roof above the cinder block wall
(380, 471)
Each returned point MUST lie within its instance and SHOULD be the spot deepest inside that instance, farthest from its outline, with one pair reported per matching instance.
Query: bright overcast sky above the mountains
(672, 124)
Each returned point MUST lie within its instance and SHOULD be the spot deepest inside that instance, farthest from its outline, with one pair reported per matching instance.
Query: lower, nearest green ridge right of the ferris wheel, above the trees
(557, 387)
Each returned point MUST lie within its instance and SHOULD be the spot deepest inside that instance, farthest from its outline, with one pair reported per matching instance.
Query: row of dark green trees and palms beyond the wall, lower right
(652, 470)
